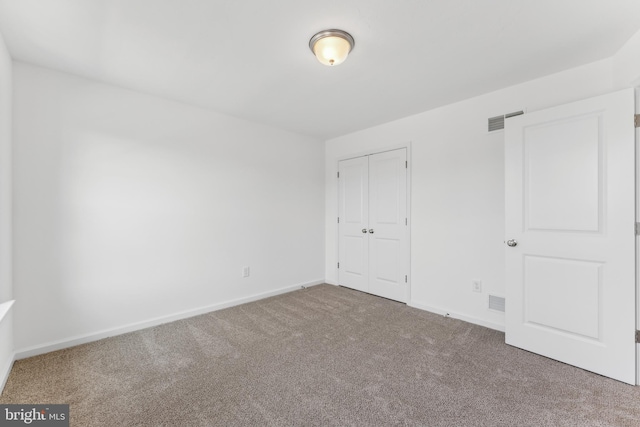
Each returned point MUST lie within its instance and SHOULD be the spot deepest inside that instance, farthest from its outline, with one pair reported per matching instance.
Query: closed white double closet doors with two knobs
(372, 224)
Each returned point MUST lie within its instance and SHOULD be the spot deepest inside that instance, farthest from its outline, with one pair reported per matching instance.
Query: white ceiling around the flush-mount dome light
(250, 58)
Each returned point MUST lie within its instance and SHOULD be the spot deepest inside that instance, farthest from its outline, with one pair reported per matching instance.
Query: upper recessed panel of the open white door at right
(559, 197)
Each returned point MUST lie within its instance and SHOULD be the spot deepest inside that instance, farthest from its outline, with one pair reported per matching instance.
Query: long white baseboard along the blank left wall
(95, 336)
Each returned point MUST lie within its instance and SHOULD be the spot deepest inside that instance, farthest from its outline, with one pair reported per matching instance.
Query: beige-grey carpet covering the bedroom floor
(319, 356)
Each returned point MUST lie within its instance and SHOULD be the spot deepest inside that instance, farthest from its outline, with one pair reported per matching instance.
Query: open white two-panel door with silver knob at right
(570, 212)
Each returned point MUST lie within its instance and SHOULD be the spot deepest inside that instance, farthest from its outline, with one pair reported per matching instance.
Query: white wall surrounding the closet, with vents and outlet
(457, 183)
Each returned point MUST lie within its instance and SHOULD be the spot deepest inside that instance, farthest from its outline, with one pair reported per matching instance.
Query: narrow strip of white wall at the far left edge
(6, 286)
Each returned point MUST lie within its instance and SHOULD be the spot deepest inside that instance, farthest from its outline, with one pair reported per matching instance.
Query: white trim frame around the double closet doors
(369, 152)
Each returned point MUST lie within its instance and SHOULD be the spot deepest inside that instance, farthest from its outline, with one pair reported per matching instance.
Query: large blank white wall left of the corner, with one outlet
(130, 208)
